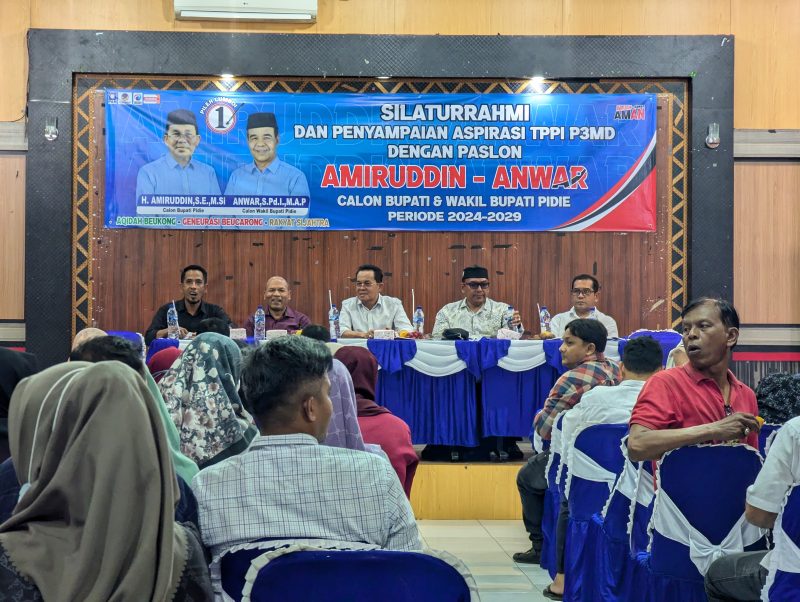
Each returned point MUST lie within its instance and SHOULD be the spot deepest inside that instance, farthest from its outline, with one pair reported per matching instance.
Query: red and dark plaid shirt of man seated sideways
(571, 386)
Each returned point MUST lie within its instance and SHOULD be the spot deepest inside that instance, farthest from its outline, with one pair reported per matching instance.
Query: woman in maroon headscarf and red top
(378, 424)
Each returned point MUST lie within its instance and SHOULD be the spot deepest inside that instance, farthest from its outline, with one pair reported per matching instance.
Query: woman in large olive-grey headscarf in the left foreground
(95, 514)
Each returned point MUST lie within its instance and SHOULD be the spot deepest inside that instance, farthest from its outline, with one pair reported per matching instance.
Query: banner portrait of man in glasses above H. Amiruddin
(176, 173)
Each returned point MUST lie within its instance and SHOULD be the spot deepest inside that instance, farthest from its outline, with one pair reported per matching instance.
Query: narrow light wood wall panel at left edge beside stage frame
(12, 239)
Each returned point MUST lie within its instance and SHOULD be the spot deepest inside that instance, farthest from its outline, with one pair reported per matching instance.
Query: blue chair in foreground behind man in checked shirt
(355, 576)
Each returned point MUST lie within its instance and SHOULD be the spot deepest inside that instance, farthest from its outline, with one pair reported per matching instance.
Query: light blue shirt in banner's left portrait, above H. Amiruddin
(166, 176)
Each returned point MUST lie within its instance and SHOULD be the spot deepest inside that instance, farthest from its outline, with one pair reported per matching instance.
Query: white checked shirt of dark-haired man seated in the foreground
(291, 487)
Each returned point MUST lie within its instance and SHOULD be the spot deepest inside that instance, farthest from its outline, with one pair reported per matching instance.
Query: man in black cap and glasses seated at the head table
(476, 312)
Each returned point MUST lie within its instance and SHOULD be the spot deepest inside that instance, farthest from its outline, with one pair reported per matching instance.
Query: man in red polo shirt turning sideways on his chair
(701, 401)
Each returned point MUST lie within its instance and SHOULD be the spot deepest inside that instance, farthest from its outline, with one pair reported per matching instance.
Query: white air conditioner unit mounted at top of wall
(287, 11)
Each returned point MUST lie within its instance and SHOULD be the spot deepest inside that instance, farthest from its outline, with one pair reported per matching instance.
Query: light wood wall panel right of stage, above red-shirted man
(767, 242)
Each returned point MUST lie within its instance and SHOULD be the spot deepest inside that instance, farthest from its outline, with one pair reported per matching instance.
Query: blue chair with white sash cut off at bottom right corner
(783, 581)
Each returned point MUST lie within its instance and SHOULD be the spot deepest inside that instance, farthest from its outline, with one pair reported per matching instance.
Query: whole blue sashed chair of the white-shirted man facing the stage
(595, 461)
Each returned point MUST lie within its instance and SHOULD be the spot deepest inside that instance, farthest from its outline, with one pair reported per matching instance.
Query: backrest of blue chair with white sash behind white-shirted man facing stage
(595, 461)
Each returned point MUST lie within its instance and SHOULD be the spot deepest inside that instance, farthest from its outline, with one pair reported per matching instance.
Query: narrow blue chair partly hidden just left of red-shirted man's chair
(613, 569)
